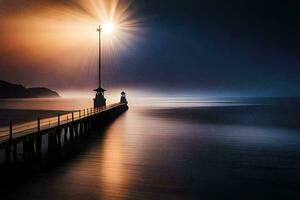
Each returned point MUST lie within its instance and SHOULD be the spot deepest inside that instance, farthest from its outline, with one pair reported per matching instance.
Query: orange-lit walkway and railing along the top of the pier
(16, 130)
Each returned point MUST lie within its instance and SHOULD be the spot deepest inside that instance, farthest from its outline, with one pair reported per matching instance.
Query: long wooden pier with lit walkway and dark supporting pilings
(28, 138)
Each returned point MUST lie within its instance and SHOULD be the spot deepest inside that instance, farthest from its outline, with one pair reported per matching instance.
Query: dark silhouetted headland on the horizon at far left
(10, 90)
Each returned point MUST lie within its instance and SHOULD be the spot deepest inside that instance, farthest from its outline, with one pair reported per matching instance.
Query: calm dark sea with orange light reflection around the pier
(180, 149)
